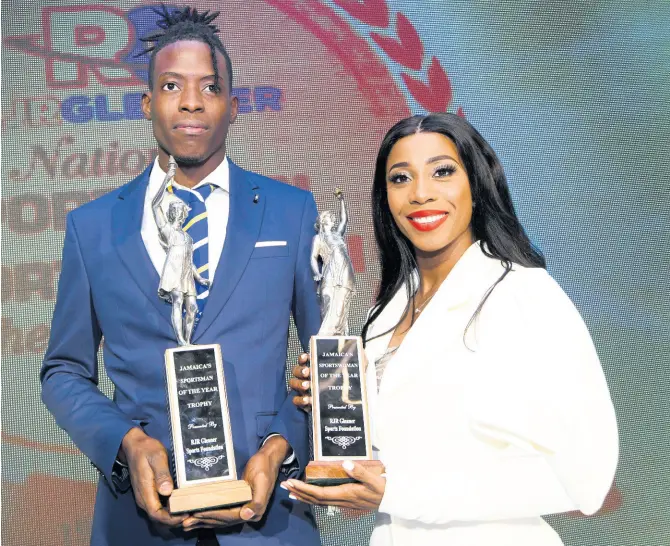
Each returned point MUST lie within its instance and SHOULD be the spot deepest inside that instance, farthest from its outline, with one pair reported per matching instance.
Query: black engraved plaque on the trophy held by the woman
(340, 416)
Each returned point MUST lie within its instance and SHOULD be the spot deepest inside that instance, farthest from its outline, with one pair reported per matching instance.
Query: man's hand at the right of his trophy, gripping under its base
(261, 475)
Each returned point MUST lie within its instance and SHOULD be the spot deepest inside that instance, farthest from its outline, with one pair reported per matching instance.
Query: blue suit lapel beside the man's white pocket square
(244, 223)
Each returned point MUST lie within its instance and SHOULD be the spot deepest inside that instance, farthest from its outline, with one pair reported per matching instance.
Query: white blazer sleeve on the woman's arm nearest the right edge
(540, 401)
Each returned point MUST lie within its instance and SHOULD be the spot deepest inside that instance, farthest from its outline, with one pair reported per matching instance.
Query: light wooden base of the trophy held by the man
(210, 496)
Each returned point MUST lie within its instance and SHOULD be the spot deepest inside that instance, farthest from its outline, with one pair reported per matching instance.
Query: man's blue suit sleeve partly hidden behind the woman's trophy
(291, 422)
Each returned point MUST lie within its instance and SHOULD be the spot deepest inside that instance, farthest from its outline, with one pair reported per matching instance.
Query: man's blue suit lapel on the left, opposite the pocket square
(127, 237)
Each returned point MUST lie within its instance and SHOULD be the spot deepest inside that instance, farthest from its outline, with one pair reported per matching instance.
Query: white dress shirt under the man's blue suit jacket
(217, 205)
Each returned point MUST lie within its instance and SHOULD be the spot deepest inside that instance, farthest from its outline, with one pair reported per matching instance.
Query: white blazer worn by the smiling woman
(483, 434)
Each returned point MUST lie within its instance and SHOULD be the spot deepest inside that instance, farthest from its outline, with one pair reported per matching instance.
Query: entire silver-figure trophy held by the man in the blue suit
(204, 458)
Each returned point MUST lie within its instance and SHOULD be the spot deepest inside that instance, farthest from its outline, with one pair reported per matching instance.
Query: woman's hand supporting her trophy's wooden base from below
(365, 495)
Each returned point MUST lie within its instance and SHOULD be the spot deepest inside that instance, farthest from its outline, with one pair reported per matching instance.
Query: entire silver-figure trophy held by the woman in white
(340, 420)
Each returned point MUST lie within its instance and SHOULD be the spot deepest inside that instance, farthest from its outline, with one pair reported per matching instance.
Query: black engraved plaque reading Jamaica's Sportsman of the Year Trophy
(202, 441)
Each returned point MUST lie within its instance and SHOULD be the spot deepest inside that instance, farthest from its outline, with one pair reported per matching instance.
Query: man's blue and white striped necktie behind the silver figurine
(196, 226)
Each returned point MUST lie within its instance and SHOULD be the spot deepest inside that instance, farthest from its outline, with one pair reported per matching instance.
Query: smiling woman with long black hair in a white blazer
(488, 402)
